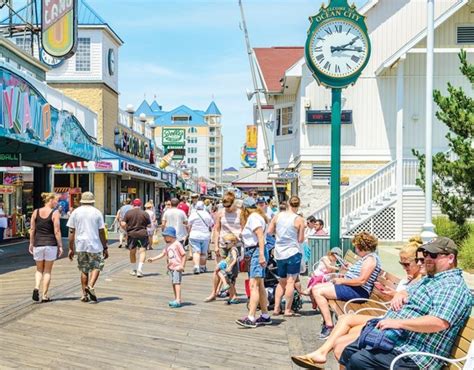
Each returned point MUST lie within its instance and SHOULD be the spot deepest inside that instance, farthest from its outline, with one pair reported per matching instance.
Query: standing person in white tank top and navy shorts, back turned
(288, 228)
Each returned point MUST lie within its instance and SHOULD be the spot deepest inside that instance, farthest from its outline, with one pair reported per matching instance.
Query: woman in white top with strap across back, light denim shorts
(200, 225)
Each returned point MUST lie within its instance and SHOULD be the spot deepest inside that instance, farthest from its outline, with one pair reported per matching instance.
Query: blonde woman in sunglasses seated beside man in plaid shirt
(349, 326)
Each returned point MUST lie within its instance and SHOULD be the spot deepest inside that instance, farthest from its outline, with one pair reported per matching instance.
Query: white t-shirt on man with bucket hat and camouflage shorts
(86, 221)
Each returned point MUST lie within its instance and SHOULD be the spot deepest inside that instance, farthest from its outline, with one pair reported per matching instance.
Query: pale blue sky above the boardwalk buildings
(193, 51)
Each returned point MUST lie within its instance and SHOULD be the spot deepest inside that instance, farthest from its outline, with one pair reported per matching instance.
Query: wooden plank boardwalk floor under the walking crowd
(132, 326)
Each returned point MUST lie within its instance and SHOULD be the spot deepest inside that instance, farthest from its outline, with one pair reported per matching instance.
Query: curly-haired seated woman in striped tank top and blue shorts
(358, 281)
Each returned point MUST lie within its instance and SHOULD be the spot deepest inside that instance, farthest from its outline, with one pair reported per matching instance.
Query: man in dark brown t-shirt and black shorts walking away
(135, 223)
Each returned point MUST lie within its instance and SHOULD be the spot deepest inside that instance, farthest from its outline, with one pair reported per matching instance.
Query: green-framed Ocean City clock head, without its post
(338, 46)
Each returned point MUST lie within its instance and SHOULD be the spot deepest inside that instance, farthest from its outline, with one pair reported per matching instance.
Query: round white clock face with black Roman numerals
(338, 48)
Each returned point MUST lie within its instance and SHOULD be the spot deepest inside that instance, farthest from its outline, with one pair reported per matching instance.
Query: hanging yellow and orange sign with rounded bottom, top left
(59, 27)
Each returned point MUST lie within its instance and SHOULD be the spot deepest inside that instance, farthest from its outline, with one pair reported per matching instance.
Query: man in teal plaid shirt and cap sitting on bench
(428, 316)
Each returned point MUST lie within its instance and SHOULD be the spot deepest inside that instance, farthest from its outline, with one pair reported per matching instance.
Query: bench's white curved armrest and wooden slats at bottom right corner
(462, 352)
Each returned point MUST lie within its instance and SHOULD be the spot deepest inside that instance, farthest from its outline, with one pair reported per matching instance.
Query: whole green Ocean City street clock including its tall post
(337, 50)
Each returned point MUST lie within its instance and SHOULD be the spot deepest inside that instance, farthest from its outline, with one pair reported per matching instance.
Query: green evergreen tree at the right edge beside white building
(453, 172)
